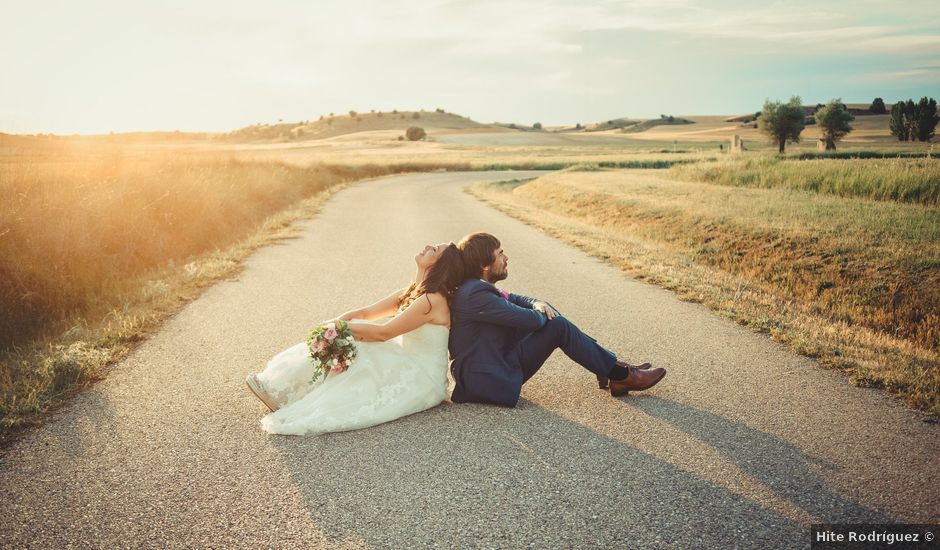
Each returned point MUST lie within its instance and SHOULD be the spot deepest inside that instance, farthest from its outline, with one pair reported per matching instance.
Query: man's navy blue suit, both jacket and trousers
(498, 344)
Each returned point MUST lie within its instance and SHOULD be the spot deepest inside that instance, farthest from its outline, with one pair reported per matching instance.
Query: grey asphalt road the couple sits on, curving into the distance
(744, 444)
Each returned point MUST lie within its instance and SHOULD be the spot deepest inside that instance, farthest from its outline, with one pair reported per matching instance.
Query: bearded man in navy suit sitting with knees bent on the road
(499, 340)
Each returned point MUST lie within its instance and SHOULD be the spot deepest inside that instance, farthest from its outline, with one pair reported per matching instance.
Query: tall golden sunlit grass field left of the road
(99, 242)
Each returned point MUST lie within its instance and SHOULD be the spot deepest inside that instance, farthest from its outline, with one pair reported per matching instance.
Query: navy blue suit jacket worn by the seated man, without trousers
(484, 327)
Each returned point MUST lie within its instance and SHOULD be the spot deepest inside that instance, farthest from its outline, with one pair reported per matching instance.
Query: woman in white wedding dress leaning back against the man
(400, 366)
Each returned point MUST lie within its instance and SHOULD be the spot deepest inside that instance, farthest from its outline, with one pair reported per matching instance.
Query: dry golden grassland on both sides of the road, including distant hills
(102, 237)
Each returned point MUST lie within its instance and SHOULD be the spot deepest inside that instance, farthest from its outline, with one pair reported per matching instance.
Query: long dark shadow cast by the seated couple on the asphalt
(477, 475)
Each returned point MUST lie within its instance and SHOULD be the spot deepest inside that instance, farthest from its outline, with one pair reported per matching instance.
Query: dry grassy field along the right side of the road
(853, 282)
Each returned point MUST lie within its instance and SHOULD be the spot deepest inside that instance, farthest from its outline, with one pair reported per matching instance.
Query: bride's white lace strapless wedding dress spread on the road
(387, 380)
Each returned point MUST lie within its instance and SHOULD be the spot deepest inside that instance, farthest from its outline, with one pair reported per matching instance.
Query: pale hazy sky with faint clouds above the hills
(97, 66)
